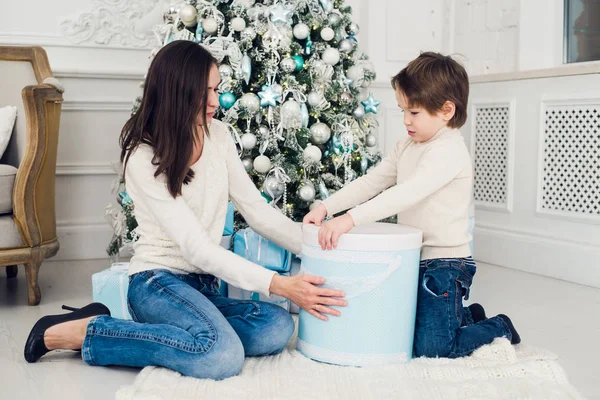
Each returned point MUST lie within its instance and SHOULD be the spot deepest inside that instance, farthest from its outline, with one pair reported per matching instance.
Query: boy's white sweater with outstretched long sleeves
(429, 187)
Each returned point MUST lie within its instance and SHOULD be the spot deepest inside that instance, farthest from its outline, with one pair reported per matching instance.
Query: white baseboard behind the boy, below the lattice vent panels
(541, 255)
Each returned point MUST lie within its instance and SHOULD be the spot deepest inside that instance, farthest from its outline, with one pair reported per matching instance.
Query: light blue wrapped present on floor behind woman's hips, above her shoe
(110, 288)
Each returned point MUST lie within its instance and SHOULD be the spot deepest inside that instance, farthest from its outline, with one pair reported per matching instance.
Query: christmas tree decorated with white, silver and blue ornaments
(291, 93)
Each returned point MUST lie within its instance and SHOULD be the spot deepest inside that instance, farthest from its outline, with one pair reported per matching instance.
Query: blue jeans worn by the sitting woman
(181, 322)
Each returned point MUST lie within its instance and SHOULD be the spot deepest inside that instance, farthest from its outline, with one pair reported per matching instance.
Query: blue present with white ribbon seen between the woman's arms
(255, 248)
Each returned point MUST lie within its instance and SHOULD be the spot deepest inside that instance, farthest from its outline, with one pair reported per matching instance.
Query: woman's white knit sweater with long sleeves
(183, 234)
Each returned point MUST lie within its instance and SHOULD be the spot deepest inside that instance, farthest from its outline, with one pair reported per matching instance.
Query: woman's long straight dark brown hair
(175, 93)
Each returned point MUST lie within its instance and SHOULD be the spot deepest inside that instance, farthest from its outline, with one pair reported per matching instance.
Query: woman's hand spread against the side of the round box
(301, 290)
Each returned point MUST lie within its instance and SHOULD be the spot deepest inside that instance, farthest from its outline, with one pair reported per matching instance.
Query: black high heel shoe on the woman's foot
(35, 346)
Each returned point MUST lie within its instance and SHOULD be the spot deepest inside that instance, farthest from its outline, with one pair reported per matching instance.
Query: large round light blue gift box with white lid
(377, 266)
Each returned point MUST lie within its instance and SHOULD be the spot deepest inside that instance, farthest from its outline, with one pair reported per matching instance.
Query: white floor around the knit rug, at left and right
(556, 315)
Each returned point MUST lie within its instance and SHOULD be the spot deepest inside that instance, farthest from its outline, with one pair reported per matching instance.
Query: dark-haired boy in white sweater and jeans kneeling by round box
(426, 180)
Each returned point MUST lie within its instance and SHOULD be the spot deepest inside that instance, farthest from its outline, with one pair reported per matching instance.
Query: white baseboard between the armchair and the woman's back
(83, 241)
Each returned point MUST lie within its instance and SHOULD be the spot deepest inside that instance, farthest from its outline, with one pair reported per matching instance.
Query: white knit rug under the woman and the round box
(495, 371)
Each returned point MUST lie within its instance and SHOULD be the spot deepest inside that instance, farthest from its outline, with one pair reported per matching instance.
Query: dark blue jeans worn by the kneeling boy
(443, 327)
